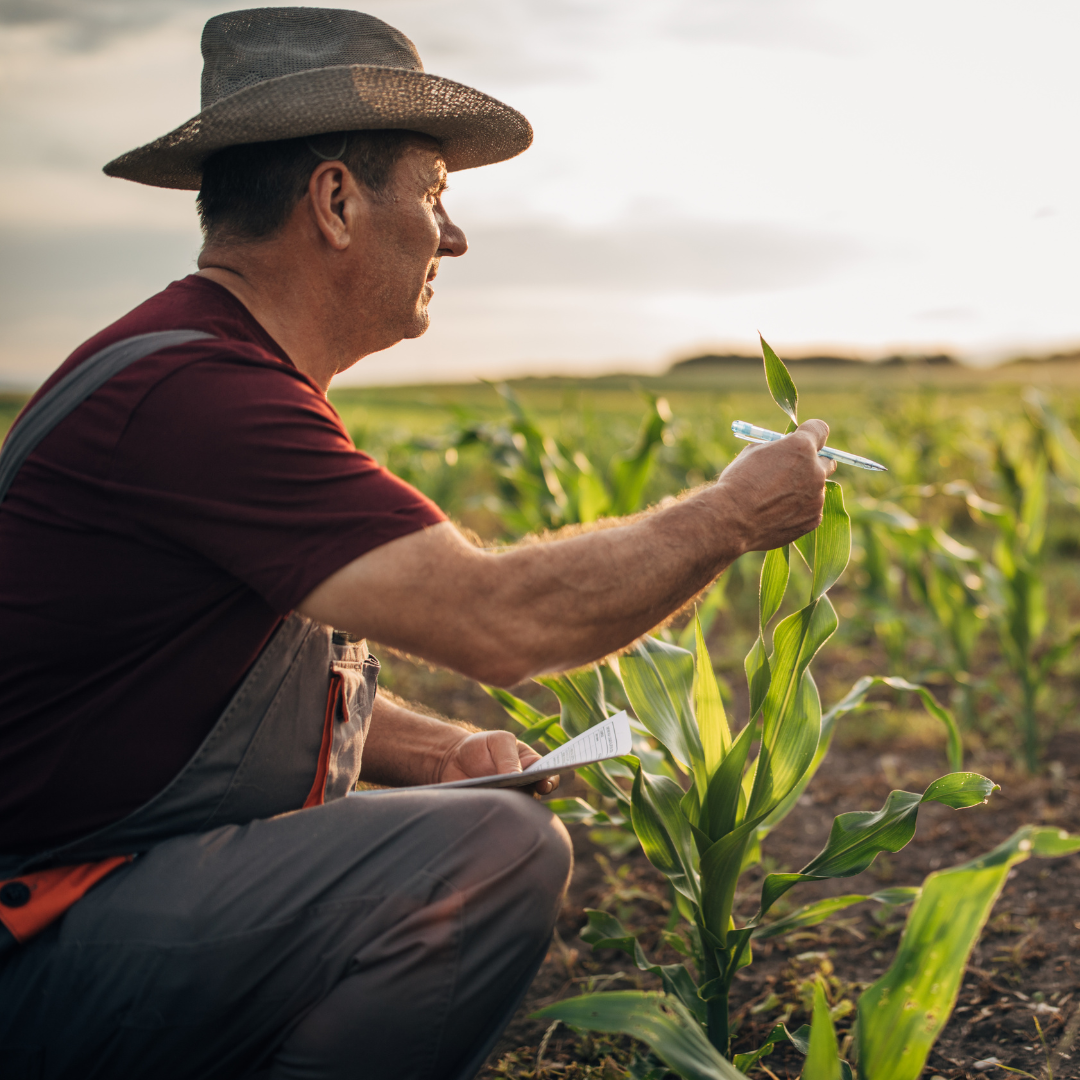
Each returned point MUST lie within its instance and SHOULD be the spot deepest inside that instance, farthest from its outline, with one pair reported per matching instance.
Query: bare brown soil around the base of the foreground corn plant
(1024, 968)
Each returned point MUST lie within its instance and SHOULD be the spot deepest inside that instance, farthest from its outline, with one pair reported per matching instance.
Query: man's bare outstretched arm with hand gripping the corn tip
(503, 617)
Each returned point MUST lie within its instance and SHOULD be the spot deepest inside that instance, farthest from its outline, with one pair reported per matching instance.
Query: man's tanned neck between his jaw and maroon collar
(293, 307)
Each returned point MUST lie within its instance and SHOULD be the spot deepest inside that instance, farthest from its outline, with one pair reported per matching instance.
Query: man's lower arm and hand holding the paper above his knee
(403, 749)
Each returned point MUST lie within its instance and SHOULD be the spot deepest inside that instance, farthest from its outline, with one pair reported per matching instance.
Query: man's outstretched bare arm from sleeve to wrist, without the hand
(503, 617)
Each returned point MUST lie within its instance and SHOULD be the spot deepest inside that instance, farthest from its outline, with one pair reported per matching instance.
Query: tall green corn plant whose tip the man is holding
(704, 833)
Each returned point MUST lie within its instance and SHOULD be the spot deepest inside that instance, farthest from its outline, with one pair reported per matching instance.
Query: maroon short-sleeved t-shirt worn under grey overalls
(151, 547)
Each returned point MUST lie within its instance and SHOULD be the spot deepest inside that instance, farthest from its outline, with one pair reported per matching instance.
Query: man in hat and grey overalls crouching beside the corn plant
(184, 889)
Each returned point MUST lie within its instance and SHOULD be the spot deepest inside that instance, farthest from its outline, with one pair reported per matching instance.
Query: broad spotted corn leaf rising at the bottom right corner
(902, 1015)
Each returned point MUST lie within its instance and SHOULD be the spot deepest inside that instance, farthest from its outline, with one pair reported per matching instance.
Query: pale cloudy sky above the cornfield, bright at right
(852, 178)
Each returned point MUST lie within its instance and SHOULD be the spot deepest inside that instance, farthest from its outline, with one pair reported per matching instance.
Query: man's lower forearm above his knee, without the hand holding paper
(404, 748)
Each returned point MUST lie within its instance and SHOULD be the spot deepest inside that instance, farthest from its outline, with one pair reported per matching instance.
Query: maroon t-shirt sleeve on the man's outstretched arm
(244, 462)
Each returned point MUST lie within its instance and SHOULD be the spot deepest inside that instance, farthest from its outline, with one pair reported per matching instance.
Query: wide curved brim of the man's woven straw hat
(472, 129)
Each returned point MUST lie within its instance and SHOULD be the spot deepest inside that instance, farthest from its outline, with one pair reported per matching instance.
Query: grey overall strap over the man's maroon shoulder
(74, 389)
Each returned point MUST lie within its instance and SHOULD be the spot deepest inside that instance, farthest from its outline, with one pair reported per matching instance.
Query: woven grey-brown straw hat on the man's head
(285, 73)
